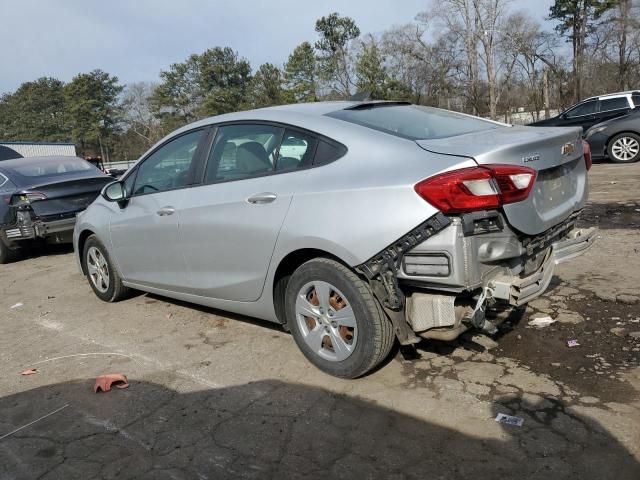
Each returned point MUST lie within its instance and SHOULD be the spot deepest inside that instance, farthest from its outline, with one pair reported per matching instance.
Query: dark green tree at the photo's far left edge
(35, 111)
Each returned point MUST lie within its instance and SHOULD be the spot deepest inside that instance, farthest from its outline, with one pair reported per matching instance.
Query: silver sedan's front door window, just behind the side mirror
(168, 167)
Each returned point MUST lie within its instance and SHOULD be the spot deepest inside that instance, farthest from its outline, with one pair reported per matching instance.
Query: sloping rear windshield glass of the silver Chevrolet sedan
(415, 122)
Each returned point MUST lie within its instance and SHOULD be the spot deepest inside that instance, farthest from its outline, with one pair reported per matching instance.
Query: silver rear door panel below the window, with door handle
(228, 239)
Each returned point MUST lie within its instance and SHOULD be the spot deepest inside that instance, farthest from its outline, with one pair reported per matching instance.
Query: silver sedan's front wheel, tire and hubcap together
(101, 272)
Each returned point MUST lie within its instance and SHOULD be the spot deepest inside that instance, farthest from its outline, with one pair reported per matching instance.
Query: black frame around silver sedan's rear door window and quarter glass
(285, 127)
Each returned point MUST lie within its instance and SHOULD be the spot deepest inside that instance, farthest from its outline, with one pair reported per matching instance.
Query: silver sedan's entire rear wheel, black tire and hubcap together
(335, 319)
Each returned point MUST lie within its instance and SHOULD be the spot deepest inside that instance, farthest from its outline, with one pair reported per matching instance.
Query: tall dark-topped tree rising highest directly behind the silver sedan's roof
(333, 60)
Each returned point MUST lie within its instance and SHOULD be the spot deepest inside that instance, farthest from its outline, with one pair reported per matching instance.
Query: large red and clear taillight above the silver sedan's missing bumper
(477, 188)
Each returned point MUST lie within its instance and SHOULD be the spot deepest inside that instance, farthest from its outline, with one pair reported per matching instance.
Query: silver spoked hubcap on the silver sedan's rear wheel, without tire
(326, 321)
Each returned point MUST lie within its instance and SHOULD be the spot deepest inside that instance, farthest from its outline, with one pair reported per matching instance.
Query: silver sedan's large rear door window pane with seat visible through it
(243, 151)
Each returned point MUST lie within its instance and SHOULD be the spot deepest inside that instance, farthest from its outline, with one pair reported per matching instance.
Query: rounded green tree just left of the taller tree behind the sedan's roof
(300, 76)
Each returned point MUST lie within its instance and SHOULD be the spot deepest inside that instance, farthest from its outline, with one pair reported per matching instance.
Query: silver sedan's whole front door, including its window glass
(144, 233)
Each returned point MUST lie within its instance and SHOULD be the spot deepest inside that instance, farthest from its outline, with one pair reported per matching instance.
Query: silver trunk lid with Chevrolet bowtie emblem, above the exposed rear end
(561, 185)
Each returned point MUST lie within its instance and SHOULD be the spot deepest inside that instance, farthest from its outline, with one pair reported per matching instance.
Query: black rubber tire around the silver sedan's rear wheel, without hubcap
(375, 336)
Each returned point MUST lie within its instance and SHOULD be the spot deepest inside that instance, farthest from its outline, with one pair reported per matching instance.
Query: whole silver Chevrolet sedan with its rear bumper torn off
(352, 224)
